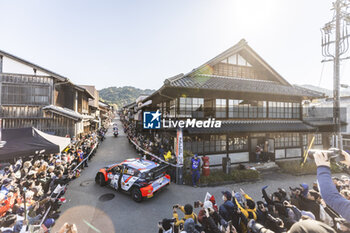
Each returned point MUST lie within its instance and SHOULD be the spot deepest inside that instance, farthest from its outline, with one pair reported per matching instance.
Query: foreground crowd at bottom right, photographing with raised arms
(321, 207)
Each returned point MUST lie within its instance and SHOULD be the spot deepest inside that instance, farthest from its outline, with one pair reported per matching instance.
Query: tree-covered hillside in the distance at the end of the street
(121, 96)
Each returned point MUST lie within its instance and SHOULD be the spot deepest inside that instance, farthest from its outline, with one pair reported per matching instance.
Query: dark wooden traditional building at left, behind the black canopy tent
(31, 95)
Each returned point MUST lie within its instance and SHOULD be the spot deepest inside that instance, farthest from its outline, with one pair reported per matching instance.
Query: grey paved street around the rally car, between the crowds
(123, 215)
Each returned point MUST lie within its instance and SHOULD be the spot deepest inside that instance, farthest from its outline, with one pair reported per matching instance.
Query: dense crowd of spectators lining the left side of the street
(32, 188)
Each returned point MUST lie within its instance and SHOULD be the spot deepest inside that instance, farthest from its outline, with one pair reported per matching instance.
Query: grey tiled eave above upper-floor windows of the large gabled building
(214, 82)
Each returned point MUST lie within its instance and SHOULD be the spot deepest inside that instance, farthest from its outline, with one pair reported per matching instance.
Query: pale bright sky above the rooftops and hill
(141, 43)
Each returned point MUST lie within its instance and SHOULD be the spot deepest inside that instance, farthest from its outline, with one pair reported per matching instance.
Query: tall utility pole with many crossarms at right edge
(335, 37)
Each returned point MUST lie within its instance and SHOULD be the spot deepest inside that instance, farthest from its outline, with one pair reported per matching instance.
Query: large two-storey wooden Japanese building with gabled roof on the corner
(256, 105)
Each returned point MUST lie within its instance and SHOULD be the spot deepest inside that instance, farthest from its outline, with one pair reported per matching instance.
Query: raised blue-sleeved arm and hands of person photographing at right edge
(328, 190)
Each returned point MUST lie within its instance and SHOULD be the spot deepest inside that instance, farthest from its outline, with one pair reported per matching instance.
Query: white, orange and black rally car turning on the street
(141, 178)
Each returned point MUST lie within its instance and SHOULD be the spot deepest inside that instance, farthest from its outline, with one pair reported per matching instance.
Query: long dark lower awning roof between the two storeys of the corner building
(255, 126)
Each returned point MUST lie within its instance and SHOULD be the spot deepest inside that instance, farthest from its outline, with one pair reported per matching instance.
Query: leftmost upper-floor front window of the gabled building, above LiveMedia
(191, 107)
